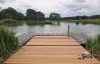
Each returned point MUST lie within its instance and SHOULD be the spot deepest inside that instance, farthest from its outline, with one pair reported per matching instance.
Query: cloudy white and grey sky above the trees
(64, 7)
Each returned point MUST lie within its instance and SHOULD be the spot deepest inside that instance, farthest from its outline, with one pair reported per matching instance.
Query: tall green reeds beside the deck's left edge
(8, 42)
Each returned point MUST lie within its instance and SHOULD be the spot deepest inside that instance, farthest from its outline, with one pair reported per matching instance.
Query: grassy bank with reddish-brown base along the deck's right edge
(93, 46)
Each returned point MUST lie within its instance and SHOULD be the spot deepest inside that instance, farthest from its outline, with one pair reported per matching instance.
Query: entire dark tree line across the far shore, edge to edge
(11, 13)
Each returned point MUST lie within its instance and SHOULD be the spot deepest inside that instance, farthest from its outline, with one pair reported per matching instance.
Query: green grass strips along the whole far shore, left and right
(10, 22)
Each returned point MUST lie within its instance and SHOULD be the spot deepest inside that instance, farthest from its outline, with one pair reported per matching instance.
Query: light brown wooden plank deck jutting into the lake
(50, 50)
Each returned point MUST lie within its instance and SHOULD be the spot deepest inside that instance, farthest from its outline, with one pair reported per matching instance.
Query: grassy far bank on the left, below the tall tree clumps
(10, 22)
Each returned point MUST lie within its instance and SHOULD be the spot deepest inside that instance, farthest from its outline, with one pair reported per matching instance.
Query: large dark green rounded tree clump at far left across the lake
(10, 13)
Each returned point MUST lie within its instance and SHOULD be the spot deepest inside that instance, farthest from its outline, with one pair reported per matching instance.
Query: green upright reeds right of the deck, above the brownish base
(93, 44)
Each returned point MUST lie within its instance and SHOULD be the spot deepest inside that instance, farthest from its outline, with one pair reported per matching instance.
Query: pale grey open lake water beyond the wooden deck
(87, 29)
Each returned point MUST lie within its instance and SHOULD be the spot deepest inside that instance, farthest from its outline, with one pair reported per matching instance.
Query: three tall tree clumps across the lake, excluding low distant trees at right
(11, 13)
